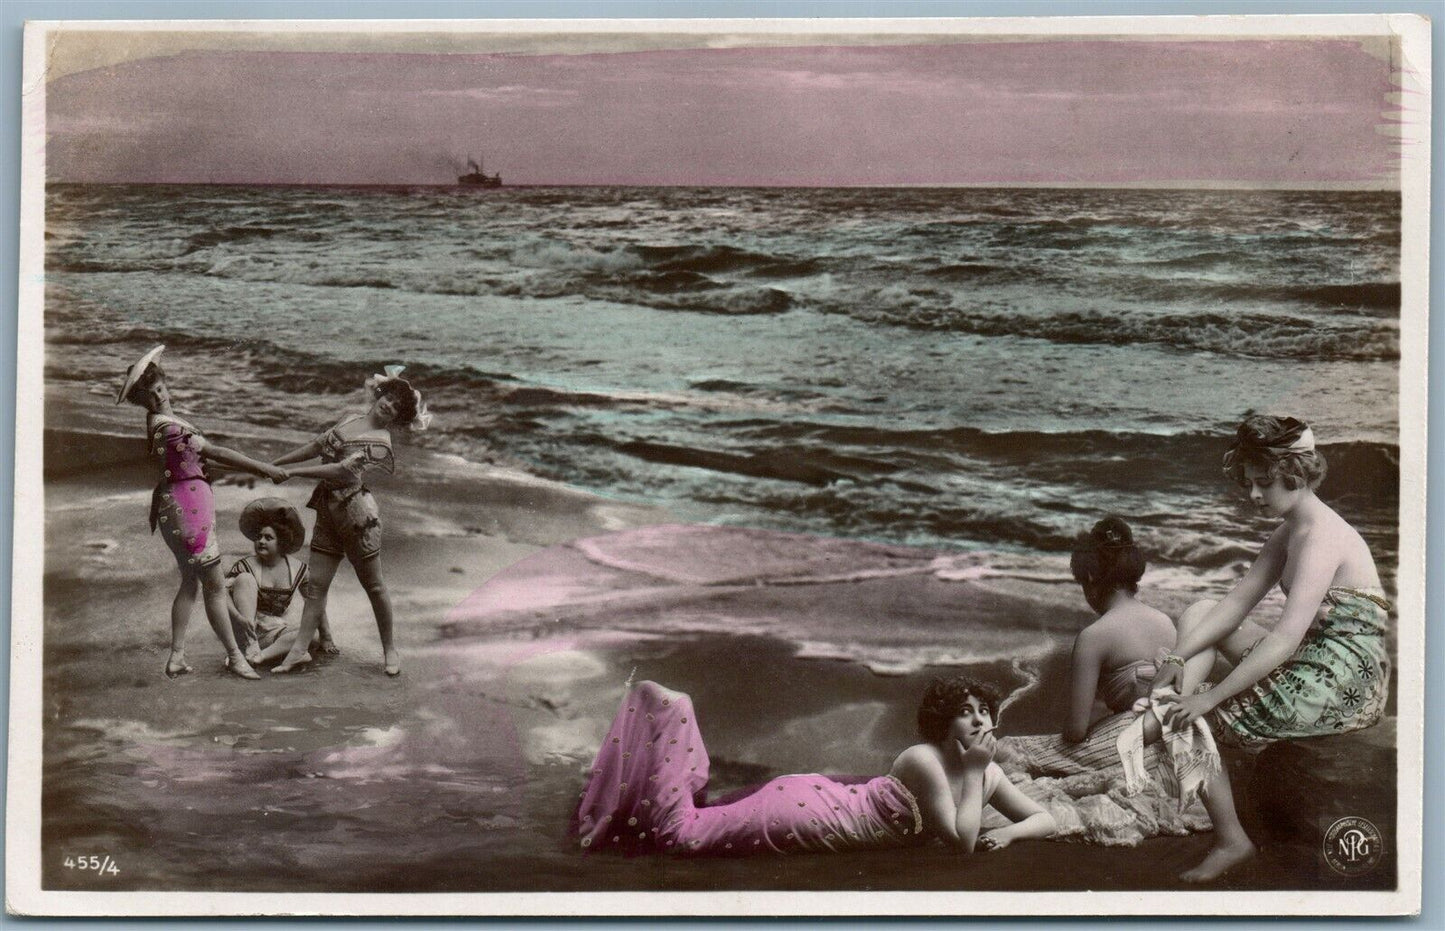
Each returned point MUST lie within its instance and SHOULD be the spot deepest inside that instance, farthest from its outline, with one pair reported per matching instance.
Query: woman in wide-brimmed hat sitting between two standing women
(264, 585)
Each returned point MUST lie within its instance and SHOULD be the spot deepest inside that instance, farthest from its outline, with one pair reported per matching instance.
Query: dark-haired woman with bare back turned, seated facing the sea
(1112, 664)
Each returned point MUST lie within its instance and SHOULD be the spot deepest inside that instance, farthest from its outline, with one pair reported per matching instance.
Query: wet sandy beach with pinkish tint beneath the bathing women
(517, 645)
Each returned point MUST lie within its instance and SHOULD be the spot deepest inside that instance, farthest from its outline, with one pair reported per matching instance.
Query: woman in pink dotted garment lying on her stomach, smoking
(648, 780)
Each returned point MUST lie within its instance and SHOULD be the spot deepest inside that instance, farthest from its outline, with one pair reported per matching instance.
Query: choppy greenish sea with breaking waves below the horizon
(957, 369)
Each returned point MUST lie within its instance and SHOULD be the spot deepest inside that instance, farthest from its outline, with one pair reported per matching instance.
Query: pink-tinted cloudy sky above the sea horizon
(1076, 112)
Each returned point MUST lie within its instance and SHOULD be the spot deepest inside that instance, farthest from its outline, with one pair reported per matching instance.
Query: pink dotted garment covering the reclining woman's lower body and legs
(645, 796)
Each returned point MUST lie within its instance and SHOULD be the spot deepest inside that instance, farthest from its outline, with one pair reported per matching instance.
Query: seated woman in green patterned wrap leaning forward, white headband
(1324, 667)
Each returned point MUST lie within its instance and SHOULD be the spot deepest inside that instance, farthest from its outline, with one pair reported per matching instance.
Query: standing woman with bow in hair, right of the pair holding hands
(349, 523)
